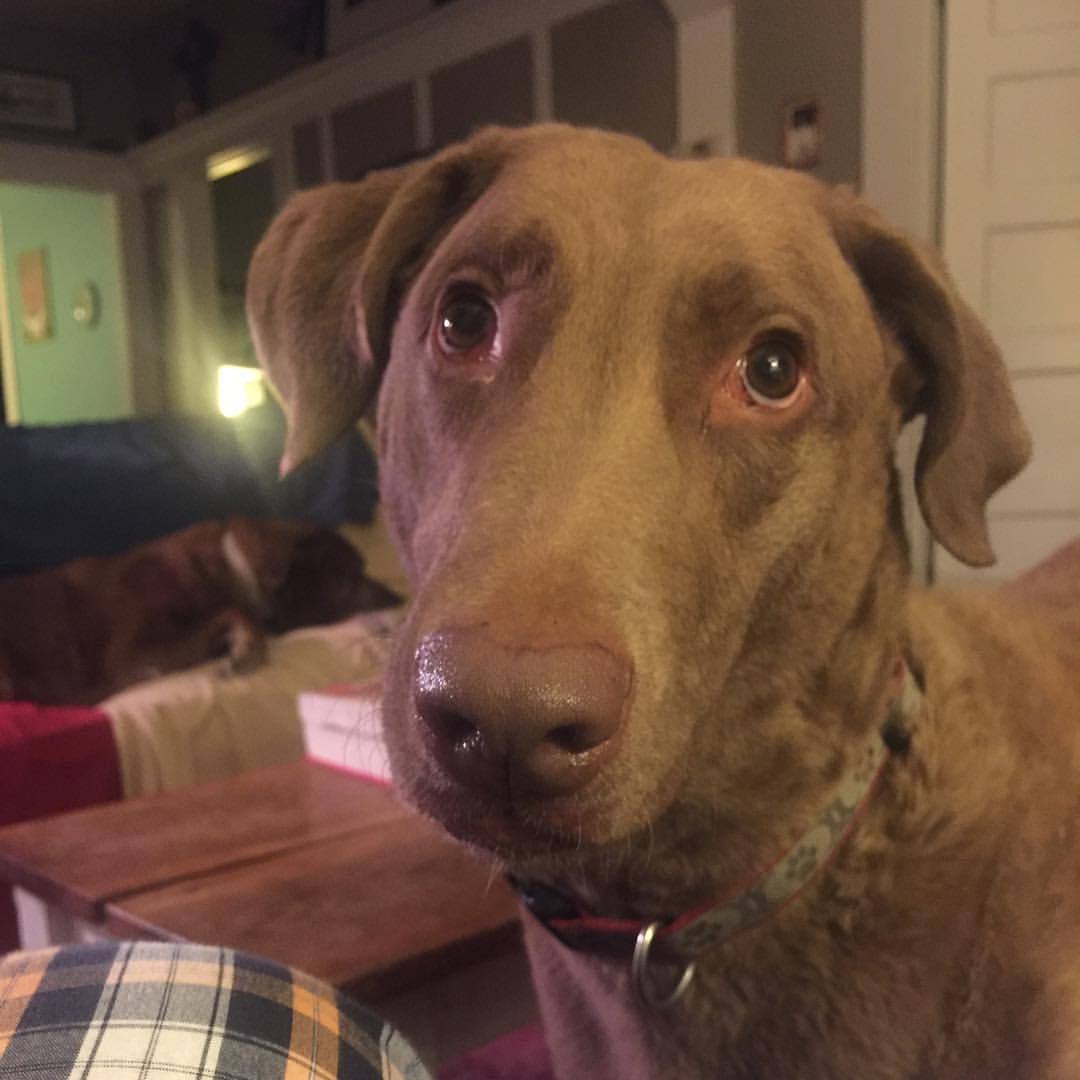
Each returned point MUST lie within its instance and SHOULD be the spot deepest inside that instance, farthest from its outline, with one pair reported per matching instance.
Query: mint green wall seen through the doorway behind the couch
(80, 372)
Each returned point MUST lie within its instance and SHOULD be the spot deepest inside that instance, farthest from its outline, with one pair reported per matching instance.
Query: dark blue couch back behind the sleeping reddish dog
(101, 489)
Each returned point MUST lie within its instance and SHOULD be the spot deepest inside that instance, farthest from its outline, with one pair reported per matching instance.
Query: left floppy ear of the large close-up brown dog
(325, 282)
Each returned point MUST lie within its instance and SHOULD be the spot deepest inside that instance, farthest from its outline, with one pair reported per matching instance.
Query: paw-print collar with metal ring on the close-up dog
(681, 941)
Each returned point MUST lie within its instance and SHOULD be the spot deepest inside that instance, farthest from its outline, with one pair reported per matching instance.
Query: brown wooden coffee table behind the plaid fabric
(313, 868)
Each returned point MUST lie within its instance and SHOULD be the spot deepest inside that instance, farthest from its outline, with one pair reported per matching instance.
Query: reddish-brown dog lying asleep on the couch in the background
(76, 633)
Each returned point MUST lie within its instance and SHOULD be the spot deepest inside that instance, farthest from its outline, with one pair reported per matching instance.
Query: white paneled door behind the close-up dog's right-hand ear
(1012, 239)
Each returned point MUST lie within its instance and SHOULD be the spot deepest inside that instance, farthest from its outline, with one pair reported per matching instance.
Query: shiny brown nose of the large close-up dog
(519, 720)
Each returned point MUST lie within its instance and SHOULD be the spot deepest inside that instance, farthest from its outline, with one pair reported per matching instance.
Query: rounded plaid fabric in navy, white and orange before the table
(152, 1010)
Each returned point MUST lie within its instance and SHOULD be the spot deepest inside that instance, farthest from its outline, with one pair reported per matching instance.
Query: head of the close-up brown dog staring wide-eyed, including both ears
(637, 430)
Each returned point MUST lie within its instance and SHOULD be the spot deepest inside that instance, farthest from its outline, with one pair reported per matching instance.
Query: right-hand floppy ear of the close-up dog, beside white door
(975, 440)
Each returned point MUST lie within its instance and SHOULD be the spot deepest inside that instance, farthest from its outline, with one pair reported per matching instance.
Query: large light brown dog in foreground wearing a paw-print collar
(637, 426)
